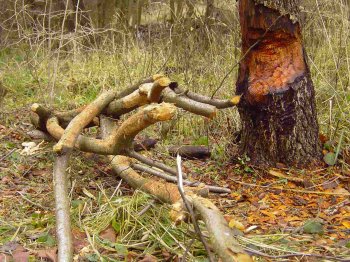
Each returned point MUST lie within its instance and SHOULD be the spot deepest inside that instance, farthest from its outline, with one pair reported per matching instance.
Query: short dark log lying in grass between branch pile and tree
(190, 152)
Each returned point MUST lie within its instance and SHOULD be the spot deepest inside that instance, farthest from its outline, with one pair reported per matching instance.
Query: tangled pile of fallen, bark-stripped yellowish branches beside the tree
(156, 99)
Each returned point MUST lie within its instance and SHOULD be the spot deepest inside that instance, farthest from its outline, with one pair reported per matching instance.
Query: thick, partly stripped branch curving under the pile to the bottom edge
(223, 240)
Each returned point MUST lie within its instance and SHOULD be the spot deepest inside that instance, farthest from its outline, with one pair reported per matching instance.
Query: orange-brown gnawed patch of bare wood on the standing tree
(276, 62)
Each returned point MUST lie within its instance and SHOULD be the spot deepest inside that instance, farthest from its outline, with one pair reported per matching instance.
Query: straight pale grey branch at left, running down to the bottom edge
(62, 205)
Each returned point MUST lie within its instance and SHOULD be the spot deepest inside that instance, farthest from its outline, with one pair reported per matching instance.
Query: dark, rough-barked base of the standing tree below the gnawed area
(283, 129)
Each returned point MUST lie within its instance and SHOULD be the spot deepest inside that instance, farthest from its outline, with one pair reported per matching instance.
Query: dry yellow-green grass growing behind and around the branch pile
(27, 70)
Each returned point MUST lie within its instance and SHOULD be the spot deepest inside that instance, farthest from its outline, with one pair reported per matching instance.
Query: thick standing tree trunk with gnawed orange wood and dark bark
(278, 111)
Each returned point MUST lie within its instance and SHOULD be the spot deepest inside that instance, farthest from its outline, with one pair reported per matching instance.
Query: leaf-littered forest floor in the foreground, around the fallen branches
(282, 215)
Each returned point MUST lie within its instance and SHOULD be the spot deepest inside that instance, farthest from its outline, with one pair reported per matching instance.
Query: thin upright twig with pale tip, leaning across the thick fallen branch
(189, 207)
